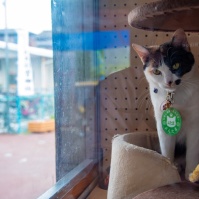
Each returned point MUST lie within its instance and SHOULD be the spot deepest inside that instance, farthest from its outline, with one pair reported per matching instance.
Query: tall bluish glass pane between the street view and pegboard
(75, 82)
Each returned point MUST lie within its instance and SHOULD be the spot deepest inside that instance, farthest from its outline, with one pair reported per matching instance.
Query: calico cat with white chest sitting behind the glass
(170, 68)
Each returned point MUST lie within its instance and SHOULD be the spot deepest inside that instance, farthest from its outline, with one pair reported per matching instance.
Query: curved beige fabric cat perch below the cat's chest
(136, 166)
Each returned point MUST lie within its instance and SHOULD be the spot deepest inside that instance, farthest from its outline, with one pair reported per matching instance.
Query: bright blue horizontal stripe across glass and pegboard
(91, 40)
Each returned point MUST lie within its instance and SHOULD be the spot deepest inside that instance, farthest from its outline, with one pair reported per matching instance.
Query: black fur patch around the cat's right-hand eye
(173, 55)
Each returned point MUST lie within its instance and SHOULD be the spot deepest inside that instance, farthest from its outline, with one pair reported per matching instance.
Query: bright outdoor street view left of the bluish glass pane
(27, 151)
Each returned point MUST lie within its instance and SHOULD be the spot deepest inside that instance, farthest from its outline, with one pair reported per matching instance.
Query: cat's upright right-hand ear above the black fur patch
(180, 40)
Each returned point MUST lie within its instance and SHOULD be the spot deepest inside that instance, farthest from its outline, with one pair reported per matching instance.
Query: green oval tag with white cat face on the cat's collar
(171, 121)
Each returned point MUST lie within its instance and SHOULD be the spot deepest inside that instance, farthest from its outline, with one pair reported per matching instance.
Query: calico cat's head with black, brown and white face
(166, 65)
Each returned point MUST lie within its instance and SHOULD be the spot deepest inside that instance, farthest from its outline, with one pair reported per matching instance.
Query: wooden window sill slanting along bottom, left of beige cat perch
(73, 184)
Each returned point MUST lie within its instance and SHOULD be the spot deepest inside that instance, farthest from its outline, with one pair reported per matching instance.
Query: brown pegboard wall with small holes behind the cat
(125, 101)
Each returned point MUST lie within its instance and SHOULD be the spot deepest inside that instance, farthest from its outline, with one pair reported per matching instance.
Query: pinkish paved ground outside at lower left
(27, 165)
